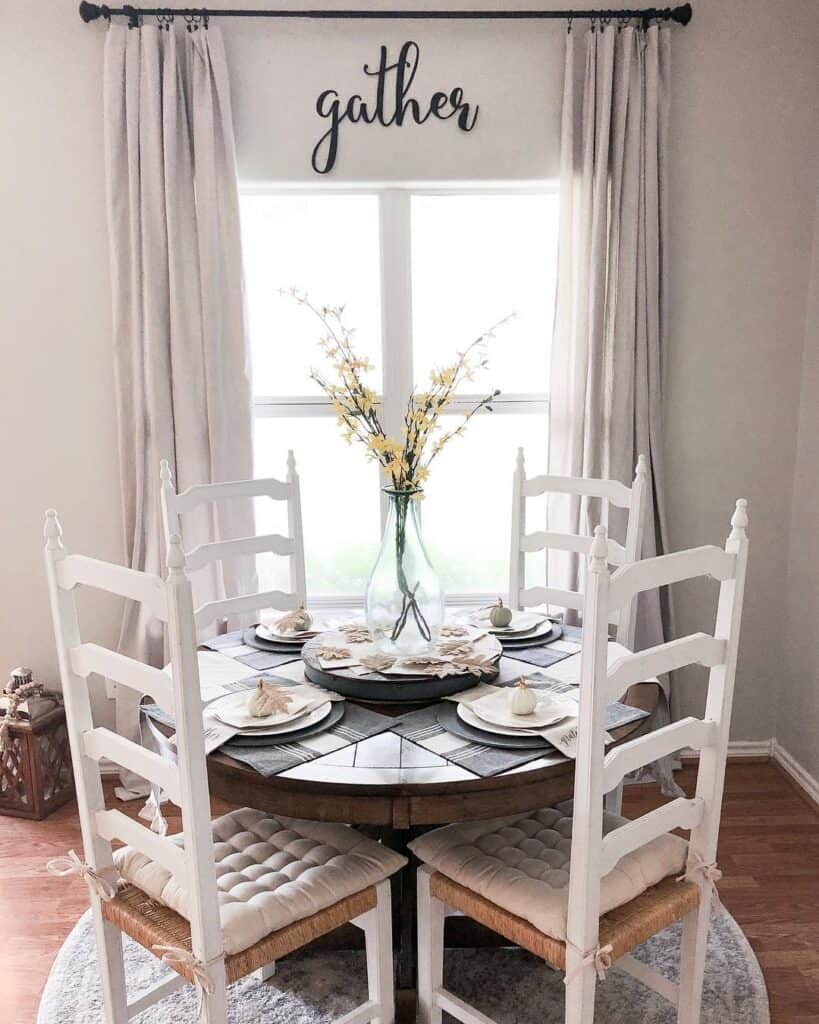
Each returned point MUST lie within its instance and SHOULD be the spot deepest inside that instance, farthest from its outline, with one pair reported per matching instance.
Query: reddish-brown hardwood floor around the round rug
(769, 851)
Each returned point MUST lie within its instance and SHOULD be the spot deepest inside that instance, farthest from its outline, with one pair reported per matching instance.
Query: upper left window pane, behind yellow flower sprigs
(325, 245)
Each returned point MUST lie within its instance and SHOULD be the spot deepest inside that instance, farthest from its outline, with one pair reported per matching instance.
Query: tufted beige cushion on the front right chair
(522, 864)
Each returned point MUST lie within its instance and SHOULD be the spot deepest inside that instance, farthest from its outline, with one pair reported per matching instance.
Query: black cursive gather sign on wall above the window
(391, 105)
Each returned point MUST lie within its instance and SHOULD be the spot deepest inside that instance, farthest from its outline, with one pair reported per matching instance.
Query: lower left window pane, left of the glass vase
(339, 500)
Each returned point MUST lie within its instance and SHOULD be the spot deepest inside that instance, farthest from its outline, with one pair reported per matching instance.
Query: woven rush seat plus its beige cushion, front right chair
(520, 868)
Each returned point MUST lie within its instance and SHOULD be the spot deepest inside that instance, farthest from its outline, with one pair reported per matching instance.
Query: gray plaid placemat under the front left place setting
(359, 723)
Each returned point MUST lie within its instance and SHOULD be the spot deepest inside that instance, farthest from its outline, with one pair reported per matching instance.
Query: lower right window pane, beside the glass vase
(467, 510)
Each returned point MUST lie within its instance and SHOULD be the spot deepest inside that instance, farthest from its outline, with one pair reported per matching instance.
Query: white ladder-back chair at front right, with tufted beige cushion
(611, 905)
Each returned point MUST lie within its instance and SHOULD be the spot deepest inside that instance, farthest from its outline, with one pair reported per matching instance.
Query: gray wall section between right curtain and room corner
(745, 166)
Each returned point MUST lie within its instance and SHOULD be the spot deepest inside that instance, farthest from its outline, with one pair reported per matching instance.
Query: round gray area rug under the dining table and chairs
(510, 986)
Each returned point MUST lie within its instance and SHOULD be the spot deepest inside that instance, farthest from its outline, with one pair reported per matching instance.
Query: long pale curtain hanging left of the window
(183, 370)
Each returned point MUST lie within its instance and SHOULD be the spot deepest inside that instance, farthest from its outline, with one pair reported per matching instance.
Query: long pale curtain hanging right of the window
(613, 290)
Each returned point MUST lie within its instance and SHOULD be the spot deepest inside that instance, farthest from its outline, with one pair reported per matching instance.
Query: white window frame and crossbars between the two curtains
(396, 263)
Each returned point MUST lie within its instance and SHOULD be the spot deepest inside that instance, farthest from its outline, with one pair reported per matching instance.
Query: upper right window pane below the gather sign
(476, 261)
